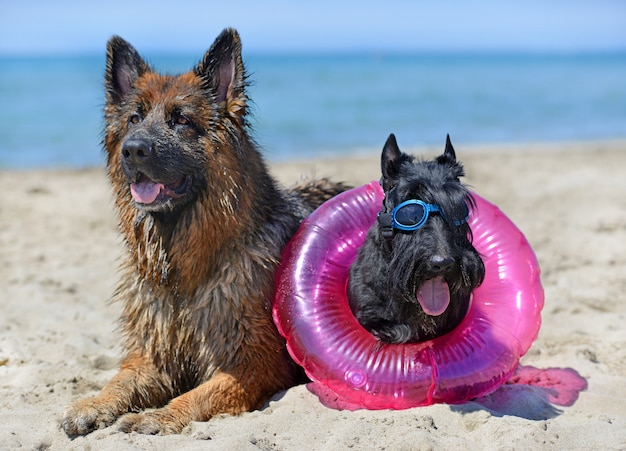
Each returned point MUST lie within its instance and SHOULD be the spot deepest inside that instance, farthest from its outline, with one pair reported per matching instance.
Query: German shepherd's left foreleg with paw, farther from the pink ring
(137, 385)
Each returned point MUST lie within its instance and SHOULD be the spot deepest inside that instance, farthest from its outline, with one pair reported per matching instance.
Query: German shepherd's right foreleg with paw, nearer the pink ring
(223, 393)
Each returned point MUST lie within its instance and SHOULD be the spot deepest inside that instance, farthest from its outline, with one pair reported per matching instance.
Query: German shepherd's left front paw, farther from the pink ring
(87, 415)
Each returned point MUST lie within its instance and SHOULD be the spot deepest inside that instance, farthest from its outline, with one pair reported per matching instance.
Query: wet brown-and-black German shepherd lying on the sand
(204, 225)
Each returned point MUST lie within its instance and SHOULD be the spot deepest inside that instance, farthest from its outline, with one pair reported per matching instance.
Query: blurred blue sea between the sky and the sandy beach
(314, 105)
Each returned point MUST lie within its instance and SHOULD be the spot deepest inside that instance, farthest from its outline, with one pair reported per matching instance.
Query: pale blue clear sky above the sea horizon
(78, 26)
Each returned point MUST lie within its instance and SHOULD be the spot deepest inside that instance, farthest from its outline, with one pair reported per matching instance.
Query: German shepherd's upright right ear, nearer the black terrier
(223, 71)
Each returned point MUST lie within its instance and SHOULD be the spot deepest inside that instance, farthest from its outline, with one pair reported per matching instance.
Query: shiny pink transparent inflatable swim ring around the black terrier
(311, 311)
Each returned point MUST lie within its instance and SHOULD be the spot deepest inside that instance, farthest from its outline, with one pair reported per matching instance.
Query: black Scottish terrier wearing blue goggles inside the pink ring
(413, 277)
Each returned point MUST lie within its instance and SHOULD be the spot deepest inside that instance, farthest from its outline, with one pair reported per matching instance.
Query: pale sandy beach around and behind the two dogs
(58, 339)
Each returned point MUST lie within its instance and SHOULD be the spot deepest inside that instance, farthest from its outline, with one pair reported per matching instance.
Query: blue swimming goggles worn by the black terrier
(410, 215)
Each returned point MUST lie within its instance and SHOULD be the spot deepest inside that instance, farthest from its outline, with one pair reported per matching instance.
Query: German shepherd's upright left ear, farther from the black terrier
(123, 67)
